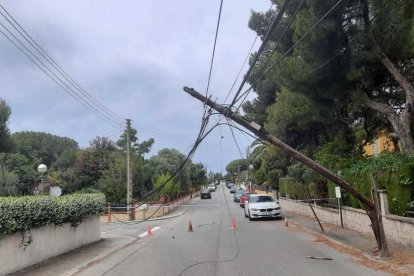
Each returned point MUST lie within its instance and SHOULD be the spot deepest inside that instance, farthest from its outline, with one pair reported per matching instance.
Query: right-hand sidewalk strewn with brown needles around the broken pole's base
(362, 247)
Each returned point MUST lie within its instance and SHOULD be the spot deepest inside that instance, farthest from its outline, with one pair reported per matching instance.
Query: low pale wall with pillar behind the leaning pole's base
(398, 229)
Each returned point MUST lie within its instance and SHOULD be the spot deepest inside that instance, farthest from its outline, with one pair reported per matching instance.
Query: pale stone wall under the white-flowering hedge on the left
(48, 241)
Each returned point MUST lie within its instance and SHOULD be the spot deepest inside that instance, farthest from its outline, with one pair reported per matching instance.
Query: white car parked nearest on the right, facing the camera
(262, 206)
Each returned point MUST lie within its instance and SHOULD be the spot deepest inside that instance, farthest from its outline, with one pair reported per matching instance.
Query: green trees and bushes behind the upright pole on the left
(100, 167)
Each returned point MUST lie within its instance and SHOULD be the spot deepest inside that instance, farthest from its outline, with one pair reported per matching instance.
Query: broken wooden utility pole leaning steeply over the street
(264, 135)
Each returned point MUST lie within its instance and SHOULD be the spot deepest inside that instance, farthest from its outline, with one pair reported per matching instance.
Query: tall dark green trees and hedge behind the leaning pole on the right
(340, 88)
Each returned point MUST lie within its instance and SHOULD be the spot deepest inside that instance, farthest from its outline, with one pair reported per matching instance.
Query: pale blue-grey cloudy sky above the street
(133, 57)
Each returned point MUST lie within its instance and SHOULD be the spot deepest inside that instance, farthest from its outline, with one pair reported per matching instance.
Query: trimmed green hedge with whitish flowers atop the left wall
(20, 214)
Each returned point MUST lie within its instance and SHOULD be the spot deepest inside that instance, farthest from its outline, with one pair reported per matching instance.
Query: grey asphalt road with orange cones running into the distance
(254, 248)
